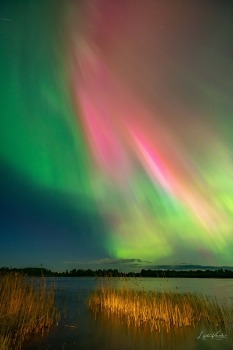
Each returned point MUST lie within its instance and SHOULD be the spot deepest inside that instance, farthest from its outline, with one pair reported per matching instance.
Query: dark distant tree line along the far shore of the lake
(39, 271)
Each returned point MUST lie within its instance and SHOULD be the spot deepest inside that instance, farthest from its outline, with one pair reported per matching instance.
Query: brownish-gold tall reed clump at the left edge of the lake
(27, 307)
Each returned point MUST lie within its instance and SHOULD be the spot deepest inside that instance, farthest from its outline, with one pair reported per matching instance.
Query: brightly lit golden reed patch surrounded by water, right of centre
(158, 310)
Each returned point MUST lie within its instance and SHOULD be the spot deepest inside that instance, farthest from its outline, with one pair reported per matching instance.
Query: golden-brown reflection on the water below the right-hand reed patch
(118, 336)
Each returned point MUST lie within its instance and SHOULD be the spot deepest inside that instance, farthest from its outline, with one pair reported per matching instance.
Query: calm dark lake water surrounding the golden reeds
(78, 328)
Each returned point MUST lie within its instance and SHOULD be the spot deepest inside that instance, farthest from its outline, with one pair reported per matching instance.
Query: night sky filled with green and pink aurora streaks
(116, 132)
